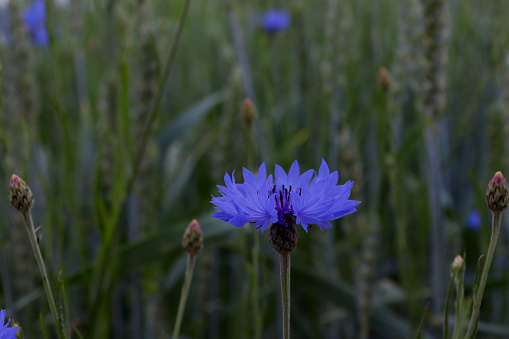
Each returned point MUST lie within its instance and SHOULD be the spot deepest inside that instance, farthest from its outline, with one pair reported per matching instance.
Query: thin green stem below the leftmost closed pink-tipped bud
(27, 218)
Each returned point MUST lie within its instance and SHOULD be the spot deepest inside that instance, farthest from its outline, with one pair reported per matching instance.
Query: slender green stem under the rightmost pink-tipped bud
(497, 218)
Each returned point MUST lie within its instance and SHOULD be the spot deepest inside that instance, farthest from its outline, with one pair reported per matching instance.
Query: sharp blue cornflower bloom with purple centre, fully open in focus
(292, 199)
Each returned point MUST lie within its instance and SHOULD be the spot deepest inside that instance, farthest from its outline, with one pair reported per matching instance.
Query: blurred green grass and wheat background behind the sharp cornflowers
(408, 98)
